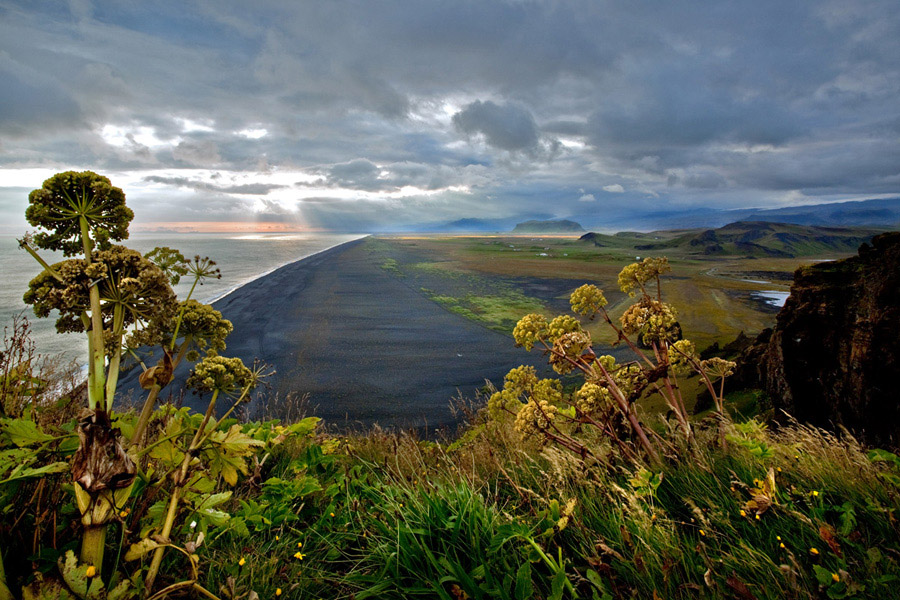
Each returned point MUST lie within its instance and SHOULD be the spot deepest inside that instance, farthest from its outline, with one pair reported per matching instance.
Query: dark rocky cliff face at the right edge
(833, 358)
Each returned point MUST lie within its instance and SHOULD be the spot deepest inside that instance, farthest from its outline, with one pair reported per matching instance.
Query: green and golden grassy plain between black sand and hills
(496, 280)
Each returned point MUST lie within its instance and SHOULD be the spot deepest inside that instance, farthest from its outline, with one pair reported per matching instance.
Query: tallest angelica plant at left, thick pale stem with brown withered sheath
(100, 290)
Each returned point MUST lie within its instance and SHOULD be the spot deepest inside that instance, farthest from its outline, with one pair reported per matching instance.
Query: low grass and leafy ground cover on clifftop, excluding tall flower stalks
(484, 516)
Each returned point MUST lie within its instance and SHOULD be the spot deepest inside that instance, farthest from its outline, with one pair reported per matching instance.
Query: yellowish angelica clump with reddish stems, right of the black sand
(610, 389)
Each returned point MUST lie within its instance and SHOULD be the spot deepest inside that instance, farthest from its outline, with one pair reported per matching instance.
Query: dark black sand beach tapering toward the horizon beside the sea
(366, 347)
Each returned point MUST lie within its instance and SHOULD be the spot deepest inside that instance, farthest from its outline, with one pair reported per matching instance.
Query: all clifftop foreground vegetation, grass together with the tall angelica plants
(555, 489)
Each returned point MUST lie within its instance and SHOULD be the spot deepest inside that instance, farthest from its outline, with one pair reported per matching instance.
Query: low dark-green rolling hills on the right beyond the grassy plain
(743, 238)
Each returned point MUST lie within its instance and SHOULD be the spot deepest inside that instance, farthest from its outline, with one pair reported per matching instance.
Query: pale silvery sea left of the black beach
(241, 258)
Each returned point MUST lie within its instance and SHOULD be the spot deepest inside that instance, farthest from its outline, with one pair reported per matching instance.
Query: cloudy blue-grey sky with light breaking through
(381, 115)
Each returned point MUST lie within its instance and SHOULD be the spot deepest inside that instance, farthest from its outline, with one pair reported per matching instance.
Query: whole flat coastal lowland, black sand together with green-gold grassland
(389, 330)
